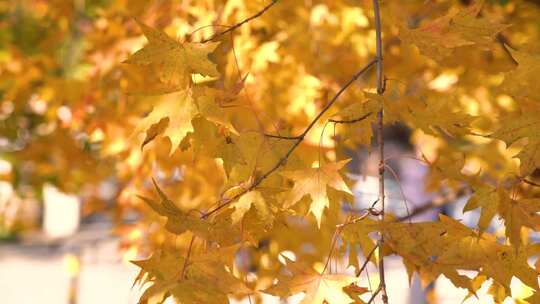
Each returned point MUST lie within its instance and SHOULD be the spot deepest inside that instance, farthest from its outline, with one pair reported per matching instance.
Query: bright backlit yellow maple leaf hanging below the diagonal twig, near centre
(313, 182)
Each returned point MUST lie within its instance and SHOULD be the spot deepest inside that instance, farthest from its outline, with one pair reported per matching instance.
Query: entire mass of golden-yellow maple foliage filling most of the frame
(229, 127)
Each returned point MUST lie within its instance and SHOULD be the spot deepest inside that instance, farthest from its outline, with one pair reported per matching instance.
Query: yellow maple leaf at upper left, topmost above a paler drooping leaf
(174, 62)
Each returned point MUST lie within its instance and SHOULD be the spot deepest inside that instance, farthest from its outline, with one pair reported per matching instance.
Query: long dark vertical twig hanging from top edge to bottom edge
(380, 139)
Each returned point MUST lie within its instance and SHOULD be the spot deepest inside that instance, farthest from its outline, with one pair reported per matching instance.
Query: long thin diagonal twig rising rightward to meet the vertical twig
(301, 137)
